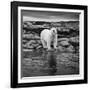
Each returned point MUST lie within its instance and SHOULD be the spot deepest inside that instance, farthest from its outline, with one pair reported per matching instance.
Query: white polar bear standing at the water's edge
(49, 37)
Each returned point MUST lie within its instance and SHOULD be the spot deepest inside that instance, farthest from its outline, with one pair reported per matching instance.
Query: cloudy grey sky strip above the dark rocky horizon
(49, 16)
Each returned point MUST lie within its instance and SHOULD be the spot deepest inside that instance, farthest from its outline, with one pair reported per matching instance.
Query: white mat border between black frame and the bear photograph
(58, 77)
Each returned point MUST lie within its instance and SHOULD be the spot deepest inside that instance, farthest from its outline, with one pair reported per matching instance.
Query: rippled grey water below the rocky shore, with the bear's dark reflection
(44, 63)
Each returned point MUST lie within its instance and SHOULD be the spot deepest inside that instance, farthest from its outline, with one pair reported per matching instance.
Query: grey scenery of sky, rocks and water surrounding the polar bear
(37, 61)
